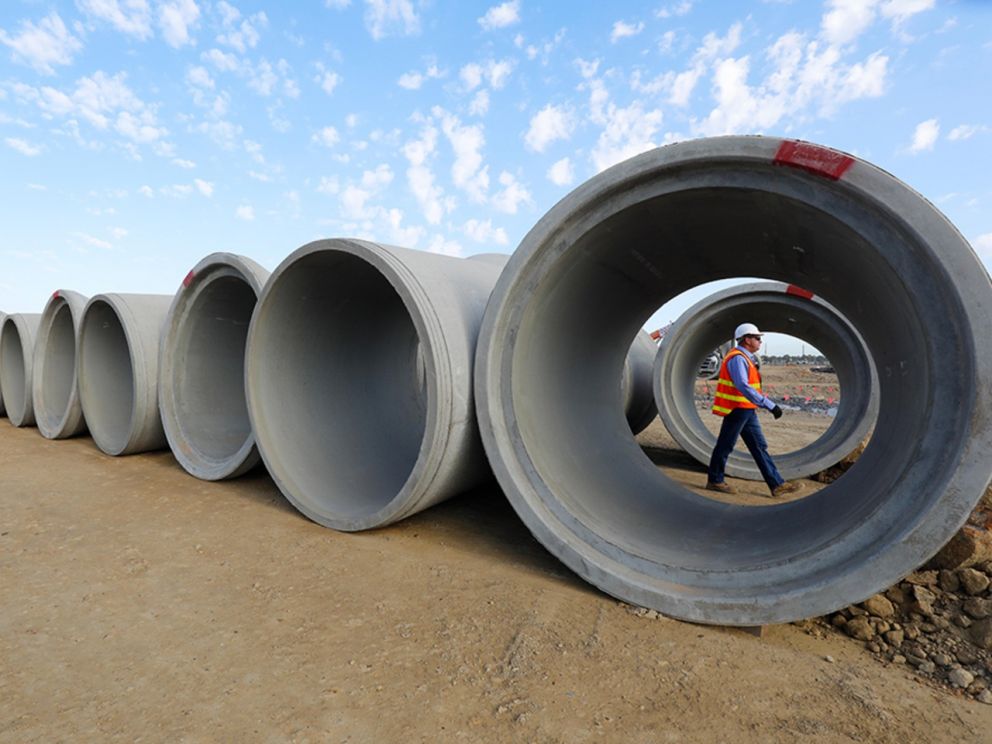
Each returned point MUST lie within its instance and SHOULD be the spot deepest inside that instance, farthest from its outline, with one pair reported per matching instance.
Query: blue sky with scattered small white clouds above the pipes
(137, 136)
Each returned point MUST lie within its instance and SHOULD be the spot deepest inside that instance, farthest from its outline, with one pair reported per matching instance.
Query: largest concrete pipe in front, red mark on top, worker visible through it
(631, 238)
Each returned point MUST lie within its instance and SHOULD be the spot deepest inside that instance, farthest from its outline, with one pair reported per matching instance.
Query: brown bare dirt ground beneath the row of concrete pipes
(140, 604)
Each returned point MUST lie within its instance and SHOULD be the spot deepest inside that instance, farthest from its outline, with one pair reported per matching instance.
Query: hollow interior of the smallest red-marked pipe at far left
(58, 368)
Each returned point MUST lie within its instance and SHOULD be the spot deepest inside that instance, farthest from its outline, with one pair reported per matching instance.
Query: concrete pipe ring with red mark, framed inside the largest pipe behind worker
(779, 308)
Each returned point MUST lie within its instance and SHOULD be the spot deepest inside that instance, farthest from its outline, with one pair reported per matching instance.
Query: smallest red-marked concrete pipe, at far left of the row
(56, 393)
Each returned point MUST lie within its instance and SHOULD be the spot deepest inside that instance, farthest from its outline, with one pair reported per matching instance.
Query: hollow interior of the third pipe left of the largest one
(106, 367)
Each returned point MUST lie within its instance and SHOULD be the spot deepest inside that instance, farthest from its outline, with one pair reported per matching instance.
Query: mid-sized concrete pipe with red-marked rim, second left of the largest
(202, 367)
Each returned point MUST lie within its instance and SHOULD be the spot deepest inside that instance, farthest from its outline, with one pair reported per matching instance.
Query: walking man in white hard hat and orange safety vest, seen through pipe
(738, 396)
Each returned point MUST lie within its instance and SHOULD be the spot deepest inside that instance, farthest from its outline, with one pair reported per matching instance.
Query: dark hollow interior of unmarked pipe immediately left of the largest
(337, 386)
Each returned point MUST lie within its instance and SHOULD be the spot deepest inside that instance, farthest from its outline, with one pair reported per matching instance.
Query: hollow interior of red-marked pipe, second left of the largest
(207, 369)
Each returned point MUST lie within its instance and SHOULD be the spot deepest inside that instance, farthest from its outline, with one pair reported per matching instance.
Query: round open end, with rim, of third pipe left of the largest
(112, 432)
